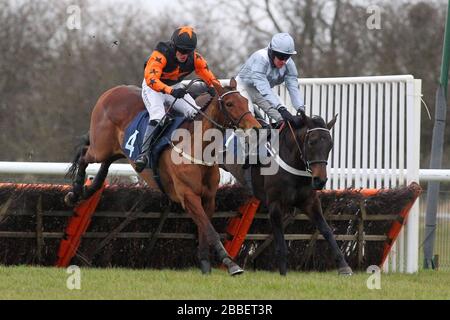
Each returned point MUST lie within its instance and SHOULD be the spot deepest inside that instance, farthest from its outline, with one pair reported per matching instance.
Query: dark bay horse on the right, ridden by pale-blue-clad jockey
(301, 151)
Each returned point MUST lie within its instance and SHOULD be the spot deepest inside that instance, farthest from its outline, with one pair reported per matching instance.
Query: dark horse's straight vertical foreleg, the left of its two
(276, 219)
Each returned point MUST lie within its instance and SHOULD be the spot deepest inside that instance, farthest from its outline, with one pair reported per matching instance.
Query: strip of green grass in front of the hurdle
(26, 282)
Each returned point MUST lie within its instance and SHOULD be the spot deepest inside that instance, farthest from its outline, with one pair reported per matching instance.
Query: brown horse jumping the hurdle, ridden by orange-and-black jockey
(194, 186)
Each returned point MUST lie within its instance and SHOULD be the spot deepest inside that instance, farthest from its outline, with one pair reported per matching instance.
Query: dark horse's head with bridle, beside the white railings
(315, 144)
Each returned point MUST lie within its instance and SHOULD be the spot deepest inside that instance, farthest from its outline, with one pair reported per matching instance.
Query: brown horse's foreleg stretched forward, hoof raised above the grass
(193, 206)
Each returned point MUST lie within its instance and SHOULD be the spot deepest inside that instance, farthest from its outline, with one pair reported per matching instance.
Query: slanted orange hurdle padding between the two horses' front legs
(239, 226)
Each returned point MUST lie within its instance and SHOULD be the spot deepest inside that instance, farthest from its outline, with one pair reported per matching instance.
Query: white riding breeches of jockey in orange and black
(155, 101)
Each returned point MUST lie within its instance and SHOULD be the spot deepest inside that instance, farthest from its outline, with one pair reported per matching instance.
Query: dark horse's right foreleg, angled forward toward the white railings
(317, 218)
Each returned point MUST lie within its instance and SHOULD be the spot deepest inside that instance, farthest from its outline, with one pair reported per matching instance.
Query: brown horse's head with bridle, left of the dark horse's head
(234, 107)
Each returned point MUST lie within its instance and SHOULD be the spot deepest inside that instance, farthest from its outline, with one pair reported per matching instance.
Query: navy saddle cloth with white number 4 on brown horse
(134, 136)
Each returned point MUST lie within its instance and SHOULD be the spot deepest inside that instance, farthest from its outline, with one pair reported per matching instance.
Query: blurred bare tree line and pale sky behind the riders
(51, 75)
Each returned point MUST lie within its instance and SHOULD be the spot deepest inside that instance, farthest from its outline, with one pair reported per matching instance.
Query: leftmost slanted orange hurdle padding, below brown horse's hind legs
(77, 226)
